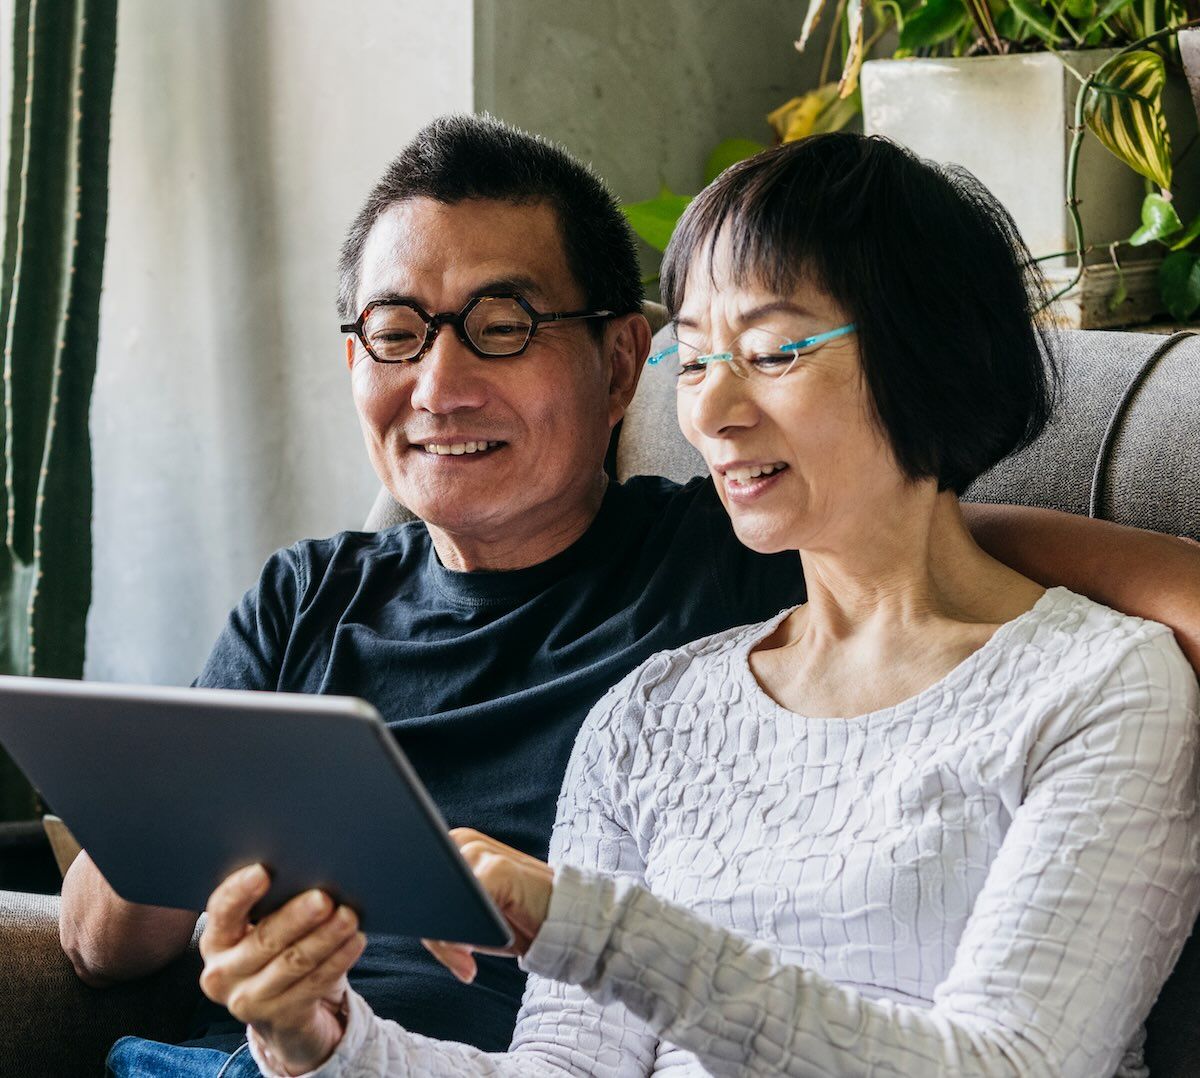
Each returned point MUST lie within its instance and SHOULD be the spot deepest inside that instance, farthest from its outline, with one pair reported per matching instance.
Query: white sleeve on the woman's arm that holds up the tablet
(561, 1029)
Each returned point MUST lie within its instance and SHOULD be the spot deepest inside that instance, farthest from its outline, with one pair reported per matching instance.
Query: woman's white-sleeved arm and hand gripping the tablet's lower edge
(280, 980)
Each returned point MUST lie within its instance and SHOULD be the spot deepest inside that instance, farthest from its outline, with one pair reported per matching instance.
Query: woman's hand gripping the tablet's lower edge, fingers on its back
(286, 975)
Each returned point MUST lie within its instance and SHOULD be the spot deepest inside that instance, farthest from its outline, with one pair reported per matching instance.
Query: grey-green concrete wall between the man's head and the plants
(643, 91)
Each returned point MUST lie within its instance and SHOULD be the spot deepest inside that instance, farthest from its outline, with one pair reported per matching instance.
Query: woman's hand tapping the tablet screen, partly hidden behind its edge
(520, 887)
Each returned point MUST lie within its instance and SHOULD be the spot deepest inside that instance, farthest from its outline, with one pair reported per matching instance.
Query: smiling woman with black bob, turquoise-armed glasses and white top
(937, 821)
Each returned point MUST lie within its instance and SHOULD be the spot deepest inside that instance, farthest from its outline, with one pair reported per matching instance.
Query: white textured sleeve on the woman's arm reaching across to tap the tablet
(1079, 924)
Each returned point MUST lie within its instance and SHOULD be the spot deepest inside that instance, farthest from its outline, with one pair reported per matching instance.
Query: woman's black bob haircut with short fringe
(932, 269)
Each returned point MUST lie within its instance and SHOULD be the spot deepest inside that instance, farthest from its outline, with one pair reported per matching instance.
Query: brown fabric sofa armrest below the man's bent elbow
(51, 1023)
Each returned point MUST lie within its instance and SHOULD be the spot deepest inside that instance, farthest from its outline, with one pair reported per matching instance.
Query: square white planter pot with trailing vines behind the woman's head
(1009, 121)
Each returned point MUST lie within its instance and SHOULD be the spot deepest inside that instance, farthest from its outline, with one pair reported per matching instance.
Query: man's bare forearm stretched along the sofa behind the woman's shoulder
(1136, 572)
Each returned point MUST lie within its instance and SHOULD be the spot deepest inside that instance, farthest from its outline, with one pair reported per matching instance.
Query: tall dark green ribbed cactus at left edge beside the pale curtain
(55, 219)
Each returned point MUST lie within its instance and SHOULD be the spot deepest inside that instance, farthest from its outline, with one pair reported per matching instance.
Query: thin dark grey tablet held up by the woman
(171, 790)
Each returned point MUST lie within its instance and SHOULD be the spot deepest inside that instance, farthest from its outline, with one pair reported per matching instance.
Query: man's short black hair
(461, 158)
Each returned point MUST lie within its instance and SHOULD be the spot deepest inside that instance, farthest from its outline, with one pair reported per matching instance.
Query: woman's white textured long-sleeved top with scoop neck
(992, 878)
